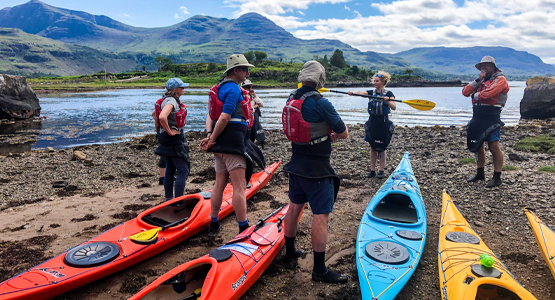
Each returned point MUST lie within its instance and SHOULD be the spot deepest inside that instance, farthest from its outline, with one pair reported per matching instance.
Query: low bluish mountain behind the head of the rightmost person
(462, 60)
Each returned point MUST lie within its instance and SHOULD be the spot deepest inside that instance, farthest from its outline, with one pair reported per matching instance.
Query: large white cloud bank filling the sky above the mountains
(527, 25)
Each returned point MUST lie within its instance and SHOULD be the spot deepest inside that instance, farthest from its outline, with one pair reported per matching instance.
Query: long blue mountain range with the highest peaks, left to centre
(199, 38)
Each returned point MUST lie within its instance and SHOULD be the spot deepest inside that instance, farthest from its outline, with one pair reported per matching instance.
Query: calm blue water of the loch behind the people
(111, 116)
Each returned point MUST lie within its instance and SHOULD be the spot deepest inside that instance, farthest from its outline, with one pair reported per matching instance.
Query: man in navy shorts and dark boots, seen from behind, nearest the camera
(311, 123)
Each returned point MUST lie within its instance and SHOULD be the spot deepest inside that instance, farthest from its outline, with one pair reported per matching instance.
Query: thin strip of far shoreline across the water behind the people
(64, 88)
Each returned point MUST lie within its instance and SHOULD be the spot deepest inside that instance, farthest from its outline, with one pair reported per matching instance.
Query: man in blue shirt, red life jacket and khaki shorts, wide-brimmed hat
(230, 114)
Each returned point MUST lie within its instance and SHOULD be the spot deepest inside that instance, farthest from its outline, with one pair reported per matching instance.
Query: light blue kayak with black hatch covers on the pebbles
(391, 235)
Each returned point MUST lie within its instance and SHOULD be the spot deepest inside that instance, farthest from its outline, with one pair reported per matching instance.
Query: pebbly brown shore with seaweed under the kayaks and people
(50, 203)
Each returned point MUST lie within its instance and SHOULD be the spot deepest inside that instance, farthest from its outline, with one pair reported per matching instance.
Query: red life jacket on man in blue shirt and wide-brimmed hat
(215, 105)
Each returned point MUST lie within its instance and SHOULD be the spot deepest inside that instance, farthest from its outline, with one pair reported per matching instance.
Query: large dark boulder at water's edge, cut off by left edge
(17, 99)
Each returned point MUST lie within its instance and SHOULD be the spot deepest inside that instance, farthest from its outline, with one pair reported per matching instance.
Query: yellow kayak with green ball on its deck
(463, 268)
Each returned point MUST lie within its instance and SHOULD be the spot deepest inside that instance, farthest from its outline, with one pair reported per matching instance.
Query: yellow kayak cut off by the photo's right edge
(545, 237)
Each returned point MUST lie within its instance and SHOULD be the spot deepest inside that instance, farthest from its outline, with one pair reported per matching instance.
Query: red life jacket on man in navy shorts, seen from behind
(296, 128)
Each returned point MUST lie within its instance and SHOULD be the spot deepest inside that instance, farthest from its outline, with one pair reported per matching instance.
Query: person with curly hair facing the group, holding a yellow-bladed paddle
(378, 128)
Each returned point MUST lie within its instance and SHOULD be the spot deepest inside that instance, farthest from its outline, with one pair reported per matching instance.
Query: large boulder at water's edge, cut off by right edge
(538, 101)
